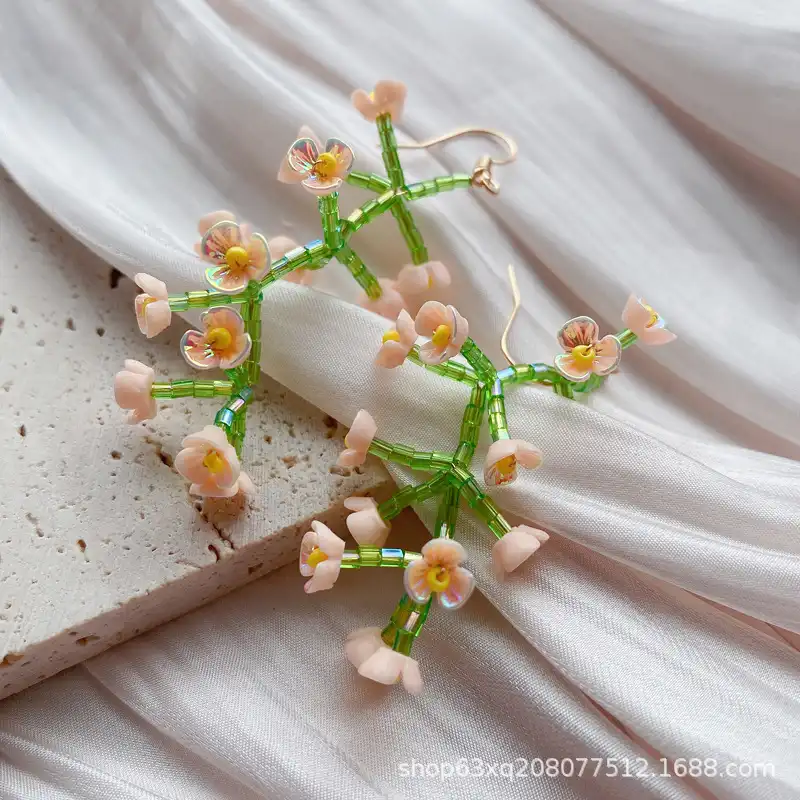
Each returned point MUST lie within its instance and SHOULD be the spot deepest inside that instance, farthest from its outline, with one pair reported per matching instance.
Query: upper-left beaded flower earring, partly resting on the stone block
(244, 265)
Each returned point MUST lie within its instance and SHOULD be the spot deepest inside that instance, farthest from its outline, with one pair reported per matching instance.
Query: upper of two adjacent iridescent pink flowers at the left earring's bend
(239, 255)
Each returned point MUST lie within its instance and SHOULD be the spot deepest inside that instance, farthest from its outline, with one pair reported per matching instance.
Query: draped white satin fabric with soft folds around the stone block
(658, 153)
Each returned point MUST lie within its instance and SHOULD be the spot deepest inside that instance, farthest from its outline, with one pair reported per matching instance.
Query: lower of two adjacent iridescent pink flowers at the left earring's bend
(222, 343)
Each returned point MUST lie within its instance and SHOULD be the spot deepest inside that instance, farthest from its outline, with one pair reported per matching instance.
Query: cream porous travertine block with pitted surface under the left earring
(99, 538)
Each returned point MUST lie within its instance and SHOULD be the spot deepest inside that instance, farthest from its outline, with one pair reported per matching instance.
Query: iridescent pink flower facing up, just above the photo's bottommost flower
(438, 572)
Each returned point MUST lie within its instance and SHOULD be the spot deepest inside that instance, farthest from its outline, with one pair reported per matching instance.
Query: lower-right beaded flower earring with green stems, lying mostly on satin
(383, 655)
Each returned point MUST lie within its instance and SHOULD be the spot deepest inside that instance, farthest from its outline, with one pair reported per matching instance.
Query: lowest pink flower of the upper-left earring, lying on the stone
(210, 462)
